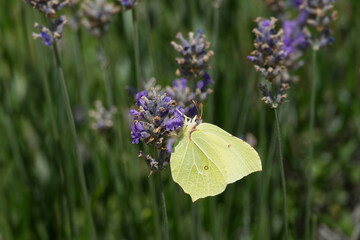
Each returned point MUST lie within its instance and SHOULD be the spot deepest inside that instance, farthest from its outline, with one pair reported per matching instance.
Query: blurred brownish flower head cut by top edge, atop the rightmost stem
(320, 15)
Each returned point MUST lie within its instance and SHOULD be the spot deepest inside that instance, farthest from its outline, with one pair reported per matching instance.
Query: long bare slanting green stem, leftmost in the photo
(75, 139)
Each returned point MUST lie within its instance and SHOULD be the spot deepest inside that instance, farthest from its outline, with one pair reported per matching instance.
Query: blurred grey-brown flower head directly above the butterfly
(194, 55)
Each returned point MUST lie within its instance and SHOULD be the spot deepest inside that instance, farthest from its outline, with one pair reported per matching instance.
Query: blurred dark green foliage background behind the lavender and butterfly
(40, 195)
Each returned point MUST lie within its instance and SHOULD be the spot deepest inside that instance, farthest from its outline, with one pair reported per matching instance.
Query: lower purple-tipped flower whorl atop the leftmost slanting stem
(49, 35)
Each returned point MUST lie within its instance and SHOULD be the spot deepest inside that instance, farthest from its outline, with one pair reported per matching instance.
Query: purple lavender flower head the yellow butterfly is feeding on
(157, 120)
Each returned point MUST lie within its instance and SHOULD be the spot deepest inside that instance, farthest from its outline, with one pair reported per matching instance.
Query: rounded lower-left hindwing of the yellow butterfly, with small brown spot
(196, 169)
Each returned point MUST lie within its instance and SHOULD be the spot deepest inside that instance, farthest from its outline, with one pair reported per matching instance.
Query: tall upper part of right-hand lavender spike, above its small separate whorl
(269, 54)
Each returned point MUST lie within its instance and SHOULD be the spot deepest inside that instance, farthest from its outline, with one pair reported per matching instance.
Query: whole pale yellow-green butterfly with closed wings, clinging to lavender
(206, 158)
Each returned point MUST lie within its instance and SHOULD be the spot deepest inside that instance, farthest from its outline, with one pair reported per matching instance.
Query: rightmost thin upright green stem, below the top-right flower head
(311, 147)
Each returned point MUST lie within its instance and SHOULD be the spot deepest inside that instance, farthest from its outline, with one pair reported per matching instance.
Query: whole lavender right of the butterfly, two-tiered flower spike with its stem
(268, 58)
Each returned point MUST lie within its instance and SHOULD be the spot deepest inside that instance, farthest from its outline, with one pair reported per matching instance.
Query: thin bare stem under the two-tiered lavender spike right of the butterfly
(283, 180)
